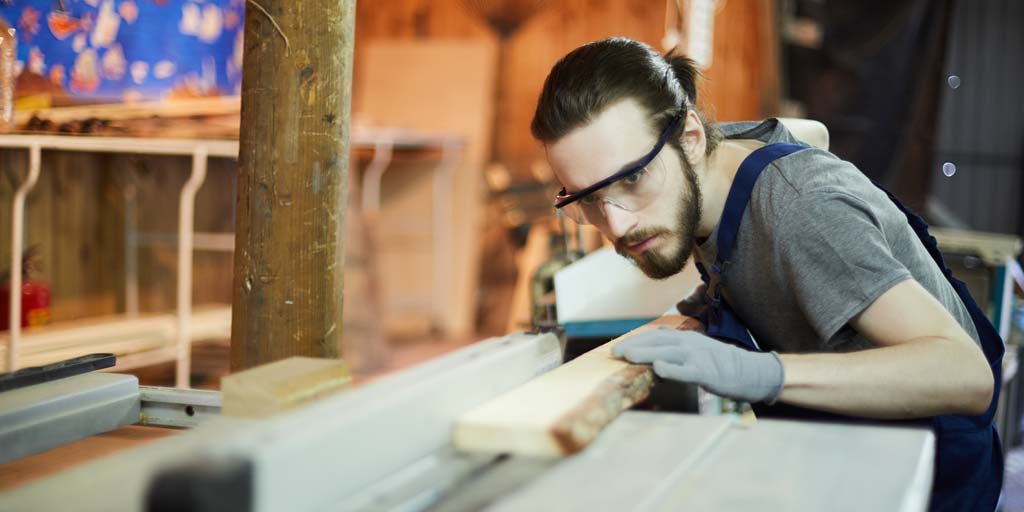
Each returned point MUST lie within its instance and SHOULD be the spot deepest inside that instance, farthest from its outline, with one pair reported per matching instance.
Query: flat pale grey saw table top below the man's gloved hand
(663, 462)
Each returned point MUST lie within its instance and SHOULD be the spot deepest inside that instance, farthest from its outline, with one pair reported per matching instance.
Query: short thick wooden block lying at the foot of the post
(282, 386)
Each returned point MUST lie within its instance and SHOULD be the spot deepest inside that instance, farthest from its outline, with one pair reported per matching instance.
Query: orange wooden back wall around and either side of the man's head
(742, 80)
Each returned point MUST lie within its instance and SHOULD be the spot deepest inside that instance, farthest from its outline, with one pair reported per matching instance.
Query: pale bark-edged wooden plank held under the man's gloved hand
(564, 411)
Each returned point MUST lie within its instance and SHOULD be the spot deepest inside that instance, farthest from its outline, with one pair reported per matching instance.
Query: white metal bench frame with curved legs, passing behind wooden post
(381, 141)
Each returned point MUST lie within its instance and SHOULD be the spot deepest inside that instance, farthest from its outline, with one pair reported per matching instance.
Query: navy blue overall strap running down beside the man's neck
(722, 323)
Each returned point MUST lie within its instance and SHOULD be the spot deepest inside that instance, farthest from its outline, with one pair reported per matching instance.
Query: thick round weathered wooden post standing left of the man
(293, 167)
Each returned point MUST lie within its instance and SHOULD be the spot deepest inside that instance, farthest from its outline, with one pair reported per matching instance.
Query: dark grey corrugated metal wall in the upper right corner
(982, 127)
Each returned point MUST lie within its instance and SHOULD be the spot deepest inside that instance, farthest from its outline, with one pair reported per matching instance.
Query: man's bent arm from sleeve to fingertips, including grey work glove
(926, 364)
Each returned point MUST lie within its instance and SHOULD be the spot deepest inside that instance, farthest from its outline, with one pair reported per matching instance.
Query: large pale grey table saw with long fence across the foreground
(387, 446)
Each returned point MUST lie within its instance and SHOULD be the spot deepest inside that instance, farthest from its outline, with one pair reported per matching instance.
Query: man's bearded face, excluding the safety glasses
(660, 237)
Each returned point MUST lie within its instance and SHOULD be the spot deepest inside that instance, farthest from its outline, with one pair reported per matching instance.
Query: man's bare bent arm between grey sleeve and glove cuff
(926, 364)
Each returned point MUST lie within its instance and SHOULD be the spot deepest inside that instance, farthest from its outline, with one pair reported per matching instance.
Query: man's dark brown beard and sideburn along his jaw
(660, 266)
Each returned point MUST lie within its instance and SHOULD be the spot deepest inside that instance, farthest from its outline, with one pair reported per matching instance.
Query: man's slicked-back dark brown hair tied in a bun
(591, 78)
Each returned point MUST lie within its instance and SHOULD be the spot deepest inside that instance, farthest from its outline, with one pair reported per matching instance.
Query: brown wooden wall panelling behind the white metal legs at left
(75, 216)
